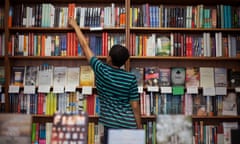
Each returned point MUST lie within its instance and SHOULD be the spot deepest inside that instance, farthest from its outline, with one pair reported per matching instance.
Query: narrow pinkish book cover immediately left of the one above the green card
(164, 76)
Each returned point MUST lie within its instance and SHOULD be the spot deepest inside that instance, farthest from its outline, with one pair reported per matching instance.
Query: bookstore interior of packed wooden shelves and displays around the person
(185, 55)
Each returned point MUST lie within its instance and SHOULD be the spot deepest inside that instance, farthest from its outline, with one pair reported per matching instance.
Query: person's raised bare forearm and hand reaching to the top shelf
(84, 45)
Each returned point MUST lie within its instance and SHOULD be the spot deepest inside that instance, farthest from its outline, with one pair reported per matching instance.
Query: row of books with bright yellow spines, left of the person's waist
(50, 103)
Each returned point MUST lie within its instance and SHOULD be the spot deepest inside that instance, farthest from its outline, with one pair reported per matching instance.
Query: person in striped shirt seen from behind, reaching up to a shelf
(117, 89)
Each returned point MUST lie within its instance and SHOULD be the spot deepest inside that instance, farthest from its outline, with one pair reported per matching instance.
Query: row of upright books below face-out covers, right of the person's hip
(155, 103)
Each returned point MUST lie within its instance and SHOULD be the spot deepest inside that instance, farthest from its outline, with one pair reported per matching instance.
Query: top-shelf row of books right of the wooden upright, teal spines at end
(198, 16)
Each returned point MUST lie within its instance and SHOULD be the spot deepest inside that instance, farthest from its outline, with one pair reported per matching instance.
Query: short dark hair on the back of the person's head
(119, 55)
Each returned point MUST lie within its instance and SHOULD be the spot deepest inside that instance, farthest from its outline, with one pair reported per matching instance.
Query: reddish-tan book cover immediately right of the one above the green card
(192, 77)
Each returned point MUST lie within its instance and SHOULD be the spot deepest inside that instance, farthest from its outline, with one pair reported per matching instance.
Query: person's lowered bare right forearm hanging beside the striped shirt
(137, 113)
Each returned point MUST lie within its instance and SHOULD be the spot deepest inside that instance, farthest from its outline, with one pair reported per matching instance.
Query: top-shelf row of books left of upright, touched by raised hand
(50, 15)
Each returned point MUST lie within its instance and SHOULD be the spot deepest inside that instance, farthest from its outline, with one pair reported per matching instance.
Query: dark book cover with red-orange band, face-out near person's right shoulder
(151, 76)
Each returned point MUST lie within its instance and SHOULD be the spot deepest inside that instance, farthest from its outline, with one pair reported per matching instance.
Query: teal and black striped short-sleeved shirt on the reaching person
(116, 88)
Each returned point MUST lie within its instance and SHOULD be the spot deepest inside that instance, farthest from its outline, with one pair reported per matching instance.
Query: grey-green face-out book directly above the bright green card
(178, 76)
